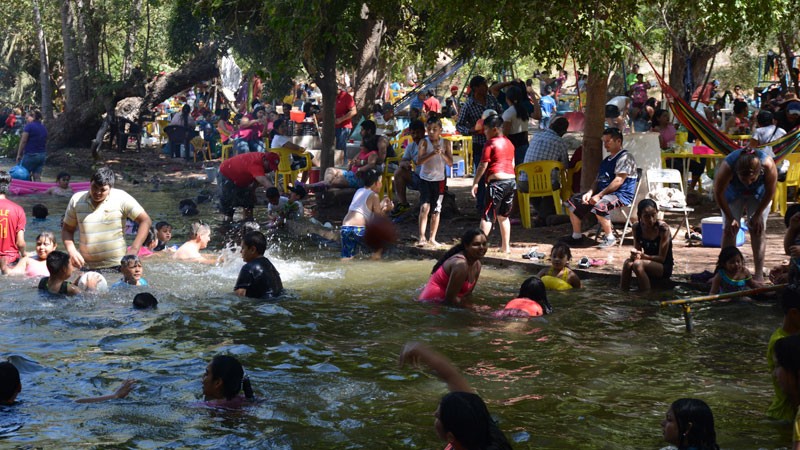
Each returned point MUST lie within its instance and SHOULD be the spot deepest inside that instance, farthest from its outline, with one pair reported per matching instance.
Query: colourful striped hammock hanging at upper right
(707, 132)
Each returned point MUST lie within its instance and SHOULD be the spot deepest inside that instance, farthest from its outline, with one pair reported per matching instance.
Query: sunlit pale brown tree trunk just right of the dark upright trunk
(367, 74)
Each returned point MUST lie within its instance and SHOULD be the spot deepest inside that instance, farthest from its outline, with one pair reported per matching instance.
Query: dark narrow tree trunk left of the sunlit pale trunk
(326, 80)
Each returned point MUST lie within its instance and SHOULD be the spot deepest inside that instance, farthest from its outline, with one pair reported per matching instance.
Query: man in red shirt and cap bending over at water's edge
(238, 179)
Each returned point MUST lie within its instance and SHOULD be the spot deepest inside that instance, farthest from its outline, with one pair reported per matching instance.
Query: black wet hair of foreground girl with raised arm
(465, 415)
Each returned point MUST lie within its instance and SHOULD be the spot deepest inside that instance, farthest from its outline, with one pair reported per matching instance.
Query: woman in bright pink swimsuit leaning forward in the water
(455, 275)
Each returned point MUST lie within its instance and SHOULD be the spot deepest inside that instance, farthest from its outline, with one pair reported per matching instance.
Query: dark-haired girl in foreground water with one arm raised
(462, 418)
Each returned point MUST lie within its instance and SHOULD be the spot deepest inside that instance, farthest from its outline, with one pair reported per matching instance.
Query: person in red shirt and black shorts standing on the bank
(497, 162)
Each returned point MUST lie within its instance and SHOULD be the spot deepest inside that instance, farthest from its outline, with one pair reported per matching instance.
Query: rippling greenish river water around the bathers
(598, 373)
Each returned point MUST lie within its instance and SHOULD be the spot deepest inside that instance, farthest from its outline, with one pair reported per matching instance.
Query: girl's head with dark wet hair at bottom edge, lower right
(690, 425)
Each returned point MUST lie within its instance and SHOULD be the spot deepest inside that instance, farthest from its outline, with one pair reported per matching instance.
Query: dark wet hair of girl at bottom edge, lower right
(701, 435)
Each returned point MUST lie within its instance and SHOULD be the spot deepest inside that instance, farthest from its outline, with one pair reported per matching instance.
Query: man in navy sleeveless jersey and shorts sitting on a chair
(614, 187)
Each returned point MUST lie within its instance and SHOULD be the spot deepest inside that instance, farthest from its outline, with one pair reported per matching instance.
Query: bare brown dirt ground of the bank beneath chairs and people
(150, 165)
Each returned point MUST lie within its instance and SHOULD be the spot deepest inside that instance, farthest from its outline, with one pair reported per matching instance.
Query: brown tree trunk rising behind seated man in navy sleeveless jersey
(596, 86)
